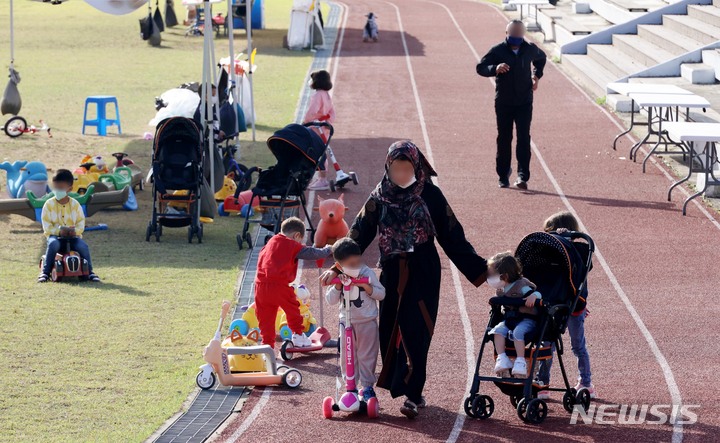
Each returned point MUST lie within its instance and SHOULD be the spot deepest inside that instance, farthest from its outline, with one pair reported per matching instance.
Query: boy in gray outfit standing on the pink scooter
(363, 311)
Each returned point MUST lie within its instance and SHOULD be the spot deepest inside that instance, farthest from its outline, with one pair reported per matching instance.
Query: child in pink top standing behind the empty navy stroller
(320, 109)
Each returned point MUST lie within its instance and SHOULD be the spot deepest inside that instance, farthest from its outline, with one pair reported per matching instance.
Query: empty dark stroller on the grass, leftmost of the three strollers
(177, 163)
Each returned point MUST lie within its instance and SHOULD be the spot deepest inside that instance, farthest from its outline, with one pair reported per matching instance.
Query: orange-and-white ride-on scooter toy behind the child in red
(218, 364)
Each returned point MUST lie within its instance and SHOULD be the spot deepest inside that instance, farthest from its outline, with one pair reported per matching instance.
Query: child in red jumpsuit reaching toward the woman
(276, 270)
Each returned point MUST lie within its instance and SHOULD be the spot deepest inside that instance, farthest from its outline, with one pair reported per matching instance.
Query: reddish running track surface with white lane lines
(653, 331)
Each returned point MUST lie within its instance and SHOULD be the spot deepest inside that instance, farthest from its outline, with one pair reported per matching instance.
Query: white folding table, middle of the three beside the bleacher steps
(662, 105)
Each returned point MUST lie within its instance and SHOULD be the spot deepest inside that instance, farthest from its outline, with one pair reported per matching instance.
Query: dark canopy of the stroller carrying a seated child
(553, 264)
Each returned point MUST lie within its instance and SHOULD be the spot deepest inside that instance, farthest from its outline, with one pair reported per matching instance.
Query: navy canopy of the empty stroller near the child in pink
(296, 146)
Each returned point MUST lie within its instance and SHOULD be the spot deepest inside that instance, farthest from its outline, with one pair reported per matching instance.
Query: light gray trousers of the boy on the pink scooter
(367, 347)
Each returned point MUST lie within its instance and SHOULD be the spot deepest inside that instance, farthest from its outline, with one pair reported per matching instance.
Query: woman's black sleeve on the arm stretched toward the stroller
(451, 236)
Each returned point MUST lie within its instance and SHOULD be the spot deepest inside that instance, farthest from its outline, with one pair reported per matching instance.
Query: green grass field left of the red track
(112, 362)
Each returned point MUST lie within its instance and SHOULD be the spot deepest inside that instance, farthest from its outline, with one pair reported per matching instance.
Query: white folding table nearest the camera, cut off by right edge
(693, 135)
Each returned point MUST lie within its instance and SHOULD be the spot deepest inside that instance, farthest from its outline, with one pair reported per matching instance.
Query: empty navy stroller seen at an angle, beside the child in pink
(280, 189)
